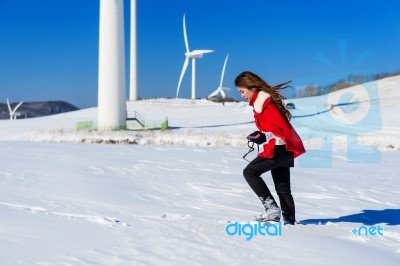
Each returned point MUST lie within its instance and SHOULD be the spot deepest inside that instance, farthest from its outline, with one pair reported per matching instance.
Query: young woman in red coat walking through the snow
(282, 144)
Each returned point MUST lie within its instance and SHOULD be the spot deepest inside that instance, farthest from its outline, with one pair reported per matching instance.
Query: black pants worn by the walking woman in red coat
(280, 171)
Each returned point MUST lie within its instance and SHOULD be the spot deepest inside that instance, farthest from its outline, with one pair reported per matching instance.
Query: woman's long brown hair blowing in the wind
(251, 81)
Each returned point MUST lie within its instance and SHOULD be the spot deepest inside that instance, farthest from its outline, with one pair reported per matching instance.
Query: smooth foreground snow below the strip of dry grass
(91, 204)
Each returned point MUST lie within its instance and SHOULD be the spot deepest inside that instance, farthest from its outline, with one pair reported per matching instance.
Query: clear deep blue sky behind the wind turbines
(49, 48)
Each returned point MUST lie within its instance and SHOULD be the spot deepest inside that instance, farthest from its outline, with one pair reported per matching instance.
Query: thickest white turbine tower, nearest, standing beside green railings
(111, 86)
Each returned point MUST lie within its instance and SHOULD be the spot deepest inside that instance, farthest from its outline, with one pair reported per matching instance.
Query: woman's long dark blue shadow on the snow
(366, 217)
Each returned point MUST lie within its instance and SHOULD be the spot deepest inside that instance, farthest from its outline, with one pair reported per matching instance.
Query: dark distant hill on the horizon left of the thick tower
(37, 109)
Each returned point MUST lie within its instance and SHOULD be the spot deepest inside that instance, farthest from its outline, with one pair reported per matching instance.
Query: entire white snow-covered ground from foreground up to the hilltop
(67, 198)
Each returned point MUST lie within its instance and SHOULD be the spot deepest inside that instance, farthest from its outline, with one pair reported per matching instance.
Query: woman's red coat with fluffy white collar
(268, 118)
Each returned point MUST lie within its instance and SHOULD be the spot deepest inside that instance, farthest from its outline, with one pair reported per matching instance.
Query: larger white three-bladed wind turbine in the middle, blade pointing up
(190, 55)
